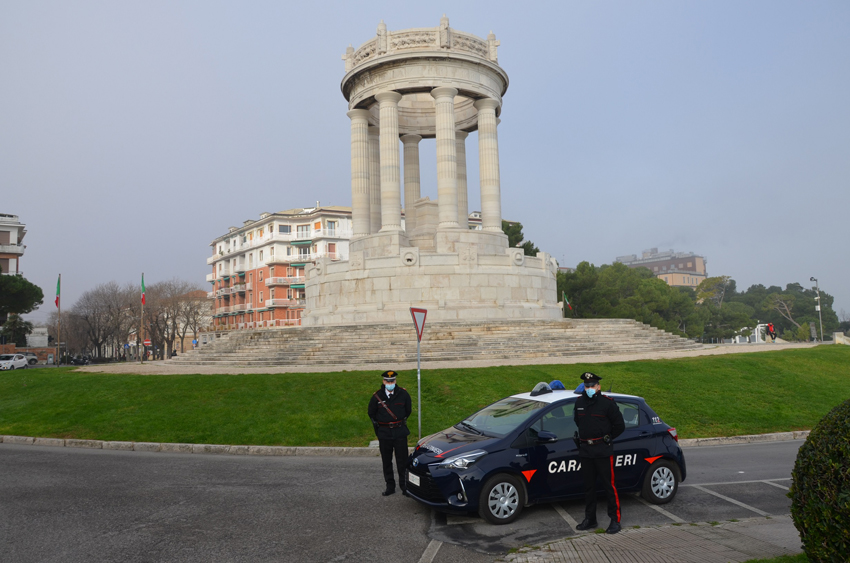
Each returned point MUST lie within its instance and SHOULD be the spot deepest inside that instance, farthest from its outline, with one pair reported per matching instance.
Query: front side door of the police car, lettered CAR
(556, 464)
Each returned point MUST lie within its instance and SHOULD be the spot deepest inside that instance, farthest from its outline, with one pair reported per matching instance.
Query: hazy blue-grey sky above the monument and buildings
(133, 134)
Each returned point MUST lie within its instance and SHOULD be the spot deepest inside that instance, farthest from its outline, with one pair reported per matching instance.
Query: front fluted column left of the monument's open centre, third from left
(390, 166)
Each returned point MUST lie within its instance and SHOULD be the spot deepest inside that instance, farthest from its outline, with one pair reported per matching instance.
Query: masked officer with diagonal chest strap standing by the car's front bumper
(389, 408)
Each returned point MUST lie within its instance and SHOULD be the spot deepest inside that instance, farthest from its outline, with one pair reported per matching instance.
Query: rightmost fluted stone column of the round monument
(488, 156)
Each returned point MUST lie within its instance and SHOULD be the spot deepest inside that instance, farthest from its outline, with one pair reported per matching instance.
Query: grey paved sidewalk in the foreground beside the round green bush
(698, 543)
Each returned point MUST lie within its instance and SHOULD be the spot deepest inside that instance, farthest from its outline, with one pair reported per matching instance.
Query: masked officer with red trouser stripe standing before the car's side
(599, 421)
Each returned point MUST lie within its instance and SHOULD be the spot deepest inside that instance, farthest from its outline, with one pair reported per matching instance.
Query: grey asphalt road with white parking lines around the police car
(74, 505)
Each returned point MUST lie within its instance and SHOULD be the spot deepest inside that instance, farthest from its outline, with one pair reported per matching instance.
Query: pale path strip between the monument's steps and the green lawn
(165, 367)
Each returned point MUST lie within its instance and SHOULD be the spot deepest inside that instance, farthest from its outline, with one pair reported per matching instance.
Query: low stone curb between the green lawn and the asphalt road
(372, 451)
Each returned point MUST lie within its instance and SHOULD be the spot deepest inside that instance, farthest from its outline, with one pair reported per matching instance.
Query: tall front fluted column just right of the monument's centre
(446, 157)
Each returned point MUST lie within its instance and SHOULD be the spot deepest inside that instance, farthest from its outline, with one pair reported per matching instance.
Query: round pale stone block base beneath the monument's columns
(380, 287)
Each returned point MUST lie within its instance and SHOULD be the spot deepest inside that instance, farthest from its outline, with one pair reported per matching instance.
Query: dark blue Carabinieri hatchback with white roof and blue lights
(522, 450)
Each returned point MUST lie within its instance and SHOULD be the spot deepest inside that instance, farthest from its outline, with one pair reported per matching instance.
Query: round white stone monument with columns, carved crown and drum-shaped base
(426, 83)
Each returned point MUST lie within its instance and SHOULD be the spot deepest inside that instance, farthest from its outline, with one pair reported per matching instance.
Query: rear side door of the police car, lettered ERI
(633, 446)
